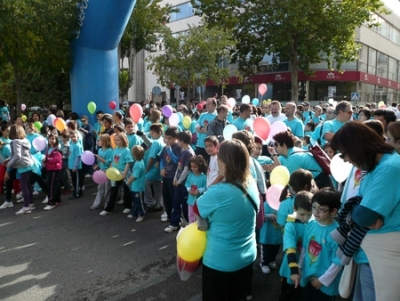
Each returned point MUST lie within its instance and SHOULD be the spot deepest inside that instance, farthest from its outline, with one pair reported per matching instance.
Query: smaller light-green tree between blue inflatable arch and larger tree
(191, 59)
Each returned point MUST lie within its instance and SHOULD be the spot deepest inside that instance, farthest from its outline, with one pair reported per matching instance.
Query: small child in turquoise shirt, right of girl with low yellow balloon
(137, 183)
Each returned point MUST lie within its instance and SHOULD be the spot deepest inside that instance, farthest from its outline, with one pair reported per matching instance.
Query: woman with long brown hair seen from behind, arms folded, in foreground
(231, 245)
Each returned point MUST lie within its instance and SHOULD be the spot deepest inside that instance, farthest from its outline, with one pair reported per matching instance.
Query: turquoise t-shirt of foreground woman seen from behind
(231, 243)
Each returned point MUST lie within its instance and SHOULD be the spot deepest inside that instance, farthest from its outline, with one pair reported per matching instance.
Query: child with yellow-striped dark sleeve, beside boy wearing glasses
(292, 245)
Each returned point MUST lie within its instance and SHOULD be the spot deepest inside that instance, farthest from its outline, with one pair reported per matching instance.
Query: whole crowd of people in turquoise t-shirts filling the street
(192, 172)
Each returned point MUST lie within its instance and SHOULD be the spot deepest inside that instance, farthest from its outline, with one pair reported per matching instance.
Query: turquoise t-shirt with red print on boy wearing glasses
(320, 253)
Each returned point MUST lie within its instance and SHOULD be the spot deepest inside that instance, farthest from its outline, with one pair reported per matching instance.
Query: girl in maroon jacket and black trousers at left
(53, 165)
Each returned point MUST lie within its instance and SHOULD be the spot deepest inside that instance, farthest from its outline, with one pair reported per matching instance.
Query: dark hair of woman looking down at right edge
(361, 144)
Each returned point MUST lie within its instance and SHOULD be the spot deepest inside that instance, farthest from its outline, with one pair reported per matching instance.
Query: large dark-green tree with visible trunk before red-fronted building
(301, 32)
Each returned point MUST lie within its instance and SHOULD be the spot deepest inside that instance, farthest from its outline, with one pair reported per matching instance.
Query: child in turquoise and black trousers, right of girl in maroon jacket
(75, 165)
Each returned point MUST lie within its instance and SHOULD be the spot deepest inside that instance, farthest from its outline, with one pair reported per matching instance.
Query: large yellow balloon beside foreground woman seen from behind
(191, 243)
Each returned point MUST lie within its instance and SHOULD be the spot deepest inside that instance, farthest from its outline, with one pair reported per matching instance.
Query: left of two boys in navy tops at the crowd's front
(169, 158)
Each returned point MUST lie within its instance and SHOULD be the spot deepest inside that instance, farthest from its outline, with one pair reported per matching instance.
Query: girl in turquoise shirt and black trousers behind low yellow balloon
(121, 160)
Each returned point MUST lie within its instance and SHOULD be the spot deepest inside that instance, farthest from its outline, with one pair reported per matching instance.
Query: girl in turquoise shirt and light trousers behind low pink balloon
(104, 158)
